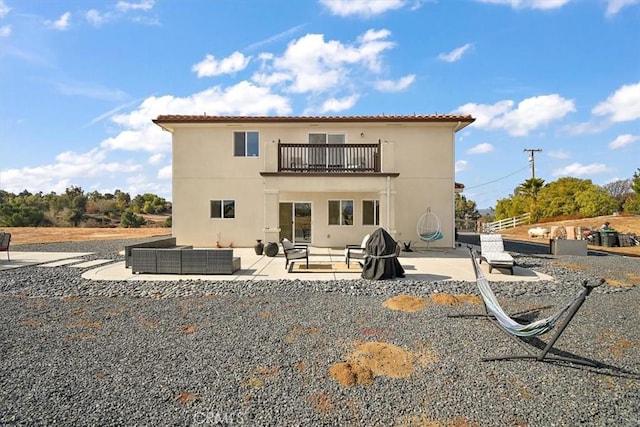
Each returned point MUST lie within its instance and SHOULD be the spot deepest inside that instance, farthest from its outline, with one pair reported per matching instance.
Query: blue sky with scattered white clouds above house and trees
(80, 81)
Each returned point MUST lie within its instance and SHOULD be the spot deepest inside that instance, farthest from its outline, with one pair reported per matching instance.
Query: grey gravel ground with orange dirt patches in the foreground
(77, 352)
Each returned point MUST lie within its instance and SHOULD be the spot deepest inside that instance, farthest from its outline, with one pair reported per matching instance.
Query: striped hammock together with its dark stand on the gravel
(517, 331)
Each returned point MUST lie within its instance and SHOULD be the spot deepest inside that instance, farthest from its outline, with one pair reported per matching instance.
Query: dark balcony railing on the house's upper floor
(329, 158)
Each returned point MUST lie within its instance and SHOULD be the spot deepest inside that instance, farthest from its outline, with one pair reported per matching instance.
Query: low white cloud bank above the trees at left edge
(58, 176)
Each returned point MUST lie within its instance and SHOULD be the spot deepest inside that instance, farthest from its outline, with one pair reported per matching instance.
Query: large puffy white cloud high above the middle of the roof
(311, 64)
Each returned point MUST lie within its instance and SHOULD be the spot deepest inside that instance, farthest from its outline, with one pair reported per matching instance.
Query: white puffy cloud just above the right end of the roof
(529, 115)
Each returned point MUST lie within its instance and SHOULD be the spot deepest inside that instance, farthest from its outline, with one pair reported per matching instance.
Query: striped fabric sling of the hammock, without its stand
(536, 328)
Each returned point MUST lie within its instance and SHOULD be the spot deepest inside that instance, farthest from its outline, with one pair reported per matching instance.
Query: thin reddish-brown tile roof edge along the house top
(176, 118)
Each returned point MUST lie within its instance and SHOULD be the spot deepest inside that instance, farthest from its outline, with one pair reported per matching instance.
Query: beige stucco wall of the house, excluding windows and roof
(205, 169)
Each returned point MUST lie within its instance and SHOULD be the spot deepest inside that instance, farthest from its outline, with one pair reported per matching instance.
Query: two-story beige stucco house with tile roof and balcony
(325, 181)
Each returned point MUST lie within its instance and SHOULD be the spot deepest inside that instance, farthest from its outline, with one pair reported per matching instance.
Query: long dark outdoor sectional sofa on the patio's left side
(180, 260)
